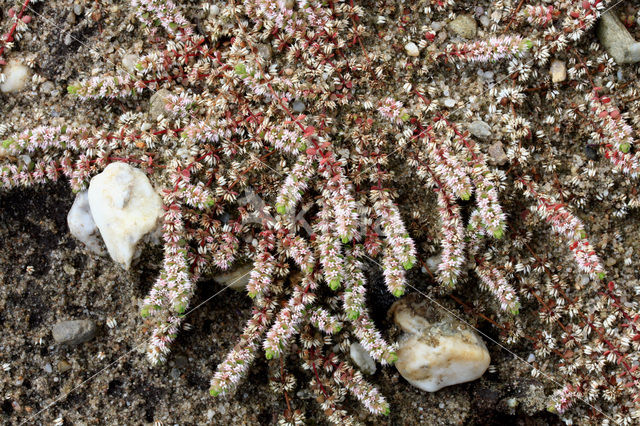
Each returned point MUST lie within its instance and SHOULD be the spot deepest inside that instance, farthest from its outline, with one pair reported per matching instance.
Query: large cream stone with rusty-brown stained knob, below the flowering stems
(436, 350)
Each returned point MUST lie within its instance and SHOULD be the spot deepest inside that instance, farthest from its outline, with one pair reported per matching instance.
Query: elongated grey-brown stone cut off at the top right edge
(616, 39)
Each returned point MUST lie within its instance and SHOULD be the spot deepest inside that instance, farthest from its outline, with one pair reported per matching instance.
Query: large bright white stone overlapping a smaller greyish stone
(125, 208)
